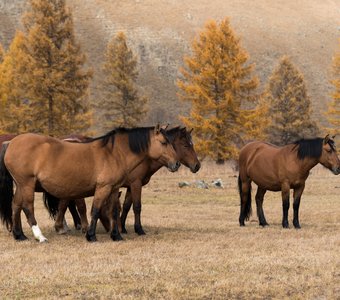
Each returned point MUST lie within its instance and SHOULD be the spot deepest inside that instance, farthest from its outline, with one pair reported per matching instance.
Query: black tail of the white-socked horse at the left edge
(6, 191)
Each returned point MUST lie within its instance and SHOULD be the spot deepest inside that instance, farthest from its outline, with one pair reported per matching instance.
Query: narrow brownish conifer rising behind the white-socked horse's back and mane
(121, 104)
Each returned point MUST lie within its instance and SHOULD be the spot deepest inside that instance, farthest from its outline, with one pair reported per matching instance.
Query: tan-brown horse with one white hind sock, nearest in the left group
(98, 167)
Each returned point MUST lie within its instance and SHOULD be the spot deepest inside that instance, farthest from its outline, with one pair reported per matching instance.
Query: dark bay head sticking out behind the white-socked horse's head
(184, 147)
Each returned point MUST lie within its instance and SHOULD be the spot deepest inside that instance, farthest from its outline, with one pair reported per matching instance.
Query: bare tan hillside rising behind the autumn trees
(160, 33)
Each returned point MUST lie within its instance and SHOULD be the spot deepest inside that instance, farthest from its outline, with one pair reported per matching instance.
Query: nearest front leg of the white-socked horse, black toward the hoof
(101, 194)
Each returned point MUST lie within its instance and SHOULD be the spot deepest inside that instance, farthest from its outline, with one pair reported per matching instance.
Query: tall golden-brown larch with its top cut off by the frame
(57, 88)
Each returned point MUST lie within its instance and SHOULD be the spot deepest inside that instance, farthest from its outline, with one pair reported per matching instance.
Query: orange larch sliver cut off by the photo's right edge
(333, 113)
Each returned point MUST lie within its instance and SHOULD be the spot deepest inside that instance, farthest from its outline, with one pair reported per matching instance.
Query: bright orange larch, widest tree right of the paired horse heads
(217, 81)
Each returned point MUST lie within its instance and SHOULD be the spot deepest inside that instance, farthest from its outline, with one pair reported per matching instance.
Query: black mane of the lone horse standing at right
(311, 147)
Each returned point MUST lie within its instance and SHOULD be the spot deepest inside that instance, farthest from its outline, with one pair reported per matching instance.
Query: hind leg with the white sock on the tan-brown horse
(28, 208)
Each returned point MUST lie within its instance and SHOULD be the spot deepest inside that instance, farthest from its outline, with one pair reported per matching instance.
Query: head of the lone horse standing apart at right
(329, 157)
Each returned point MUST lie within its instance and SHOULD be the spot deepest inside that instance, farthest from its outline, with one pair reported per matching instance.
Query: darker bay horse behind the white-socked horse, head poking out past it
(182, 142)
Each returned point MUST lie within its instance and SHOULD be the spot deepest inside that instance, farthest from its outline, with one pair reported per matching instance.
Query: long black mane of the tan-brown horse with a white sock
(139, 138)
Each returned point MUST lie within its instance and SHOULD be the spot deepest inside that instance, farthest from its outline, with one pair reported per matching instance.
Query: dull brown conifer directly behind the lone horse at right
(289, 105)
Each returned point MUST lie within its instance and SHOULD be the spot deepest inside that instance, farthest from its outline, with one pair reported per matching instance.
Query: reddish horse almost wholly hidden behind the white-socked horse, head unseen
(74, 205)
